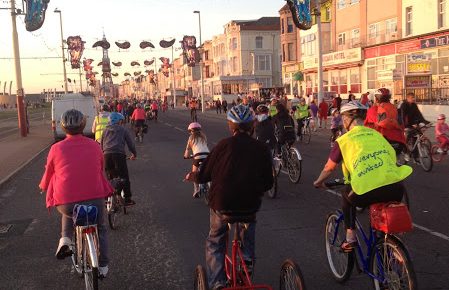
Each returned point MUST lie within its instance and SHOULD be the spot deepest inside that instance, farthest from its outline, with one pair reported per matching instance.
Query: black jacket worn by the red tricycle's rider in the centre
(240, 169)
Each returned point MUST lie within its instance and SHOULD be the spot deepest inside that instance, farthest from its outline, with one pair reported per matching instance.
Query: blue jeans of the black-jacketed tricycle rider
(216, 248)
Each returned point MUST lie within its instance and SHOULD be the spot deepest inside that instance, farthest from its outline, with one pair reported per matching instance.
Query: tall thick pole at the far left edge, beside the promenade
(20, 91)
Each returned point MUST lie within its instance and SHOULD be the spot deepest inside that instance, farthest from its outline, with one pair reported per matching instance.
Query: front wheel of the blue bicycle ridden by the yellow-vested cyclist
(340, 263)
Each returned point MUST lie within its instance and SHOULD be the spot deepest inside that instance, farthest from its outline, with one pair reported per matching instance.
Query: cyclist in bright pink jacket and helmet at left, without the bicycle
(74, 175)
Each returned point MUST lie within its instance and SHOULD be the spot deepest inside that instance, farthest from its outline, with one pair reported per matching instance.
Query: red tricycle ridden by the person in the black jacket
(237, 272)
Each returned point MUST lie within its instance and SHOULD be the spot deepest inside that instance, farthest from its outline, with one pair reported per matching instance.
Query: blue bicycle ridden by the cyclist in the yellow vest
(385, 260)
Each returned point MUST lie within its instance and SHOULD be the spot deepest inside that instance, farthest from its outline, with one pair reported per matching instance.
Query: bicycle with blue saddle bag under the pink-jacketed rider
(85, 245)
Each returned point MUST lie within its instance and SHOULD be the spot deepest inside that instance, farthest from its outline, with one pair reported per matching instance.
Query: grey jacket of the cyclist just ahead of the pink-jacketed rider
(115, 138)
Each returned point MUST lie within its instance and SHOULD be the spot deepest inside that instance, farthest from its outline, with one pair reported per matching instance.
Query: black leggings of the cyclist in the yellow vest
(351, 200)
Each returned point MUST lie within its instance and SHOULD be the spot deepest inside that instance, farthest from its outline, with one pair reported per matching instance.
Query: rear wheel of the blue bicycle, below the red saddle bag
(391, 264)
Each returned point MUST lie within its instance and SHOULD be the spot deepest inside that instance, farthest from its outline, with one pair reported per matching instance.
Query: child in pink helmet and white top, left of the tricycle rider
(197, 145)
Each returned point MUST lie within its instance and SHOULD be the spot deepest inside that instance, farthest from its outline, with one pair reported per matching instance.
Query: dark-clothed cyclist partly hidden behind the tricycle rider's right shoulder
(264, 128)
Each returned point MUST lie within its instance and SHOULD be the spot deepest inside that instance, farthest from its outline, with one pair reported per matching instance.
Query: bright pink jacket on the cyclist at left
(74, 172)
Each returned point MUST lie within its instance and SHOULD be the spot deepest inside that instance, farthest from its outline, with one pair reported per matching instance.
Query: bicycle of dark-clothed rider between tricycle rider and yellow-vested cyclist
(292, 160)
